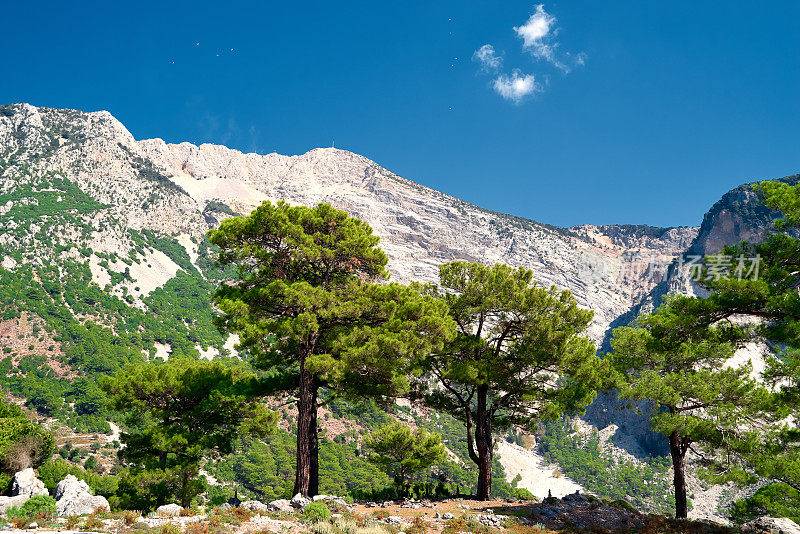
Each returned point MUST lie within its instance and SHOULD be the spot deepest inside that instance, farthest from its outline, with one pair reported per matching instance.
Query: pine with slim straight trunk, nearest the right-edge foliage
(677, 361)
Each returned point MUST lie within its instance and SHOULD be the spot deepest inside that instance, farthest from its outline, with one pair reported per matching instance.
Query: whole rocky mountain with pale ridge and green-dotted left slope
(104, 259)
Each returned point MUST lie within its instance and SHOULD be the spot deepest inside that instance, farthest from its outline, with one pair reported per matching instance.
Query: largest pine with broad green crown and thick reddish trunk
(310, 305)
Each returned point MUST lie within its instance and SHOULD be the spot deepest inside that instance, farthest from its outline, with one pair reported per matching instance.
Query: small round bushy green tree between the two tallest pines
(401, 452)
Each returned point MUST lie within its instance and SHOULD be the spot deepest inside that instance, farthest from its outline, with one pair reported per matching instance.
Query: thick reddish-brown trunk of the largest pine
(307, 474)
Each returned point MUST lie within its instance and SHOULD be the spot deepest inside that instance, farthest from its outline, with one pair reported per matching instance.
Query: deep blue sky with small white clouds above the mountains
(584, 112)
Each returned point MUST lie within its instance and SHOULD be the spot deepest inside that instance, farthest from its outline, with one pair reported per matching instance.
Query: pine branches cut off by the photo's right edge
(768, 294)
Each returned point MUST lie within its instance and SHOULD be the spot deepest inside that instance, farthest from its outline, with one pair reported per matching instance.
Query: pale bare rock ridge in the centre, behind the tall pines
(421, 228)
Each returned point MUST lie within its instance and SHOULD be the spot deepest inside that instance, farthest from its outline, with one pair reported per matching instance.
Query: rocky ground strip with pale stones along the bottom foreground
(574, 513)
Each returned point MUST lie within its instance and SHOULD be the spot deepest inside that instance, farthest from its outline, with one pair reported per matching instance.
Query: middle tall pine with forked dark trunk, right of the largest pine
(519, 355)
